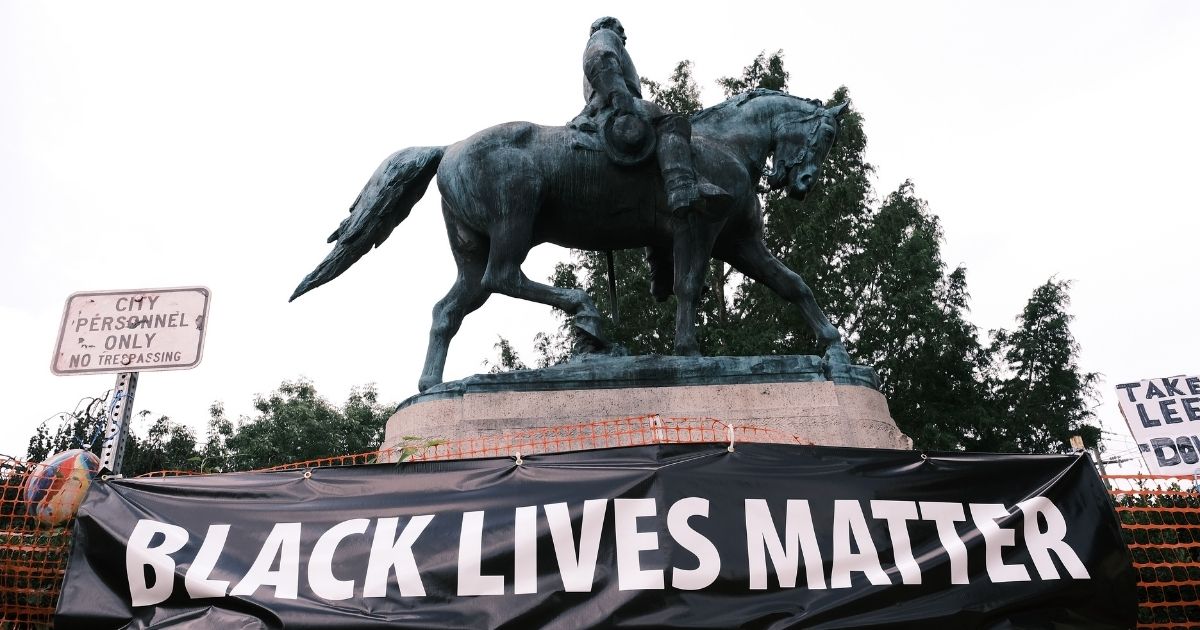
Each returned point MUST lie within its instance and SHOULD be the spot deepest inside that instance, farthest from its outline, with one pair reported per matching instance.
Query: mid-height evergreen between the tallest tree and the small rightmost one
(908, 320)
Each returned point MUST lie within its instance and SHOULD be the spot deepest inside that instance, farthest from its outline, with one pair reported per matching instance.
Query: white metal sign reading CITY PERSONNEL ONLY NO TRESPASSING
(141, 331)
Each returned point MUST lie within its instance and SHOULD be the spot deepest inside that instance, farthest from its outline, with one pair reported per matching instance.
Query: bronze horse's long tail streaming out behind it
(386, 201)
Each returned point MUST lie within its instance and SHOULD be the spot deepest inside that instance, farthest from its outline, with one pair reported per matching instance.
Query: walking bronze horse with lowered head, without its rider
(513, 187)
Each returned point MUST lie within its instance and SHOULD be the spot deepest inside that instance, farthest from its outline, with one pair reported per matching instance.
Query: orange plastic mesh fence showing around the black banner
(1160, 515)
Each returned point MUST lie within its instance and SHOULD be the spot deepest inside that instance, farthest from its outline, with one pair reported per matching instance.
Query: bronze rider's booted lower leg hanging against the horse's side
(685, 193)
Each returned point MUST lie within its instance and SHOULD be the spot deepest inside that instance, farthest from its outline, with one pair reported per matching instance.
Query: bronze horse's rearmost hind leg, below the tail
(466, 296)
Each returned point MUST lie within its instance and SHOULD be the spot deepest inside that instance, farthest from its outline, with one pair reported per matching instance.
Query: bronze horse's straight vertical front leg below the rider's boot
(693, 245)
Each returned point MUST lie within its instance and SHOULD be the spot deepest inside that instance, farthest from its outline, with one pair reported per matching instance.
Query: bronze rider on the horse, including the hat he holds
(632, 129)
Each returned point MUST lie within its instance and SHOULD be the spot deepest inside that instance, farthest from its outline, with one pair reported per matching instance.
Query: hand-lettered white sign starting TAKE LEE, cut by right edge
(1165, 418)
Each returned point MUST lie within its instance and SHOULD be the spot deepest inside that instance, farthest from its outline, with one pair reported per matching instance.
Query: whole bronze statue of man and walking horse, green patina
(514, 187)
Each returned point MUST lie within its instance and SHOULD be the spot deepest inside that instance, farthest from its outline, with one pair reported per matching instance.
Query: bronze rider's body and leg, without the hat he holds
(613, 88)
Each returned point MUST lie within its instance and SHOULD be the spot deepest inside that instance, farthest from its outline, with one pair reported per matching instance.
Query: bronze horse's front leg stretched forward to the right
(752, 257)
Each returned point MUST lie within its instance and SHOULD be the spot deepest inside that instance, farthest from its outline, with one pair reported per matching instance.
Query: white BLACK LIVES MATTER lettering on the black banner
(154, 548)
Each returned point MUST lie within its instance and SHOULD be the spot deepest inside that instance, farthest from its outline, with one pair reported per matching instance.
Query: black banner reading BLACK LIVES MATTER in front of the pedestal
(649, 537)
